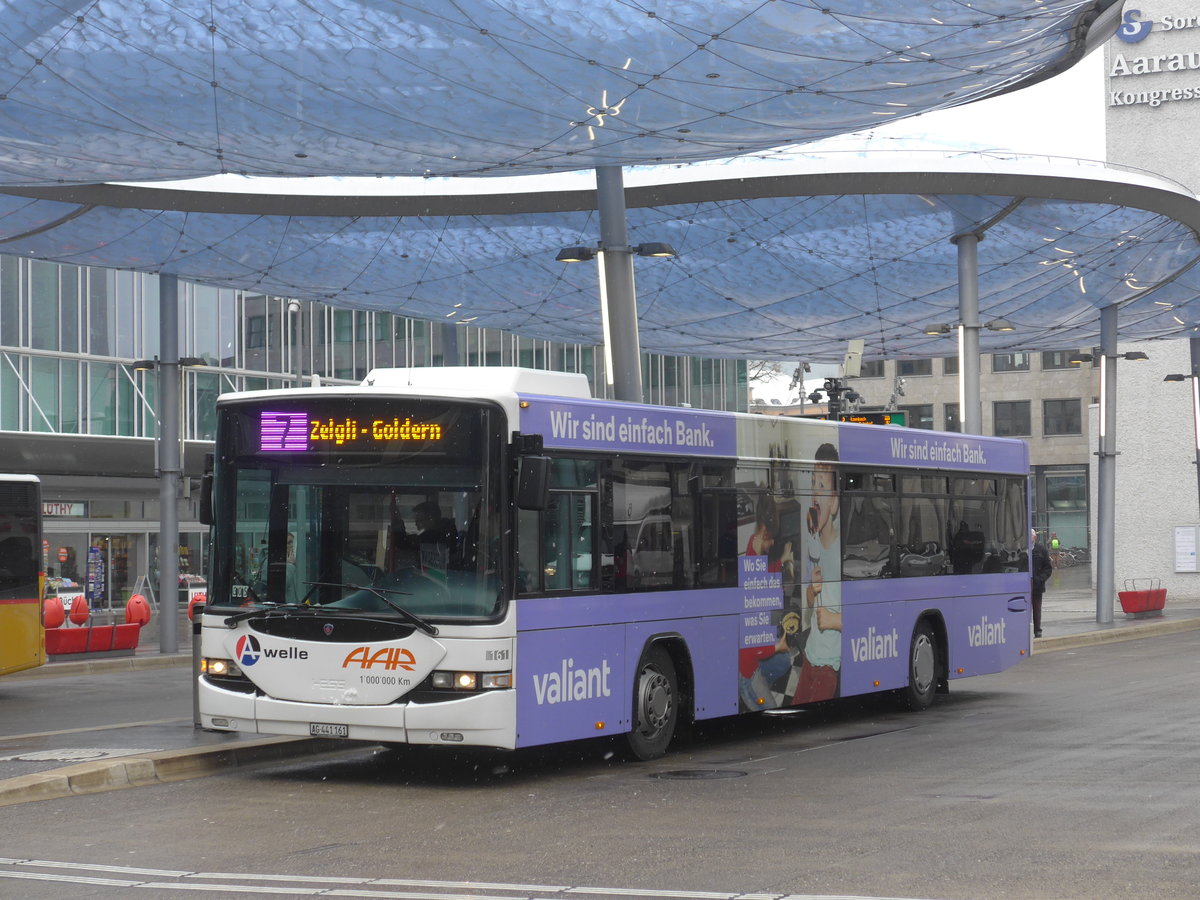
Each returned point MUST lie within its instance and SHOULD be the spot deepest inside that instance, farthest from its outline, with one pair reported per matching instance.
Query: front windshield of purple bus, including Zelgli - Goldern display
(380, 507)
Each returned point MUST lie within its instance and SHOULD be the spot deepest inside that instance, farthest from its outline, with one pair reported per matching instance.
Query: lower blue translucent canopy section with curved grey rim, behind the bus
(771, 267)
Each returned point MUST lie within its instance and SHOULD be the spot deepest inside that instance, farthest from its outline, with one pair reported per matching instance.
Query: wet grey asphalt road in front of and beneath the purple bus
(1073, 776)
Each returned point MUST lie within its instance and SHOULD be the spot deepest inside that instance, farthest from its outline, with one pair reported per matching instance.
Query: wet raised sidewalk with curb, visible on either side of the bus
(87, 725)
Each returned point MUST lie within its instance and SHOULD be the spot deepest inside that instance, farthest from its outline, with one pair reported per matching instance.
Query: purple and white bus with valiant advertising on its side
(491, 557)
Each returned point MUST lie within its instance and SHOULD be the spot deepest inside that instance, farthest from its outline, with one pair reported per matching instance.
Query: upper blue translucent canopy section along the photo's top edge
(172, 89)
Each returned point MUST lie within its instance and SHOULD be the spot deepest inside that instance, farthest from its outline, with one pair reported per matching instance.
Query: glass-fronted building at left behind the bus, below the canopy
(75, 412)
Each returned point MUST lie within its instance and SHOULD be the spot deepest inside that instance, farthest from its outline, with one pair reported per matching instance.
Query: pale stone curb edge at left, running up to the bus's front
(163, 767)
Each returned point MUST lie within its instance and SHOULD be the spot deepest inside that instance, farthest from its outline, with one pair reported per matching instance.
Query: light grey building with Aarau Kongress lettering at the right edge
(1153, 116)
